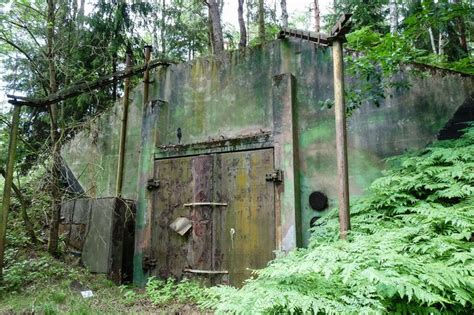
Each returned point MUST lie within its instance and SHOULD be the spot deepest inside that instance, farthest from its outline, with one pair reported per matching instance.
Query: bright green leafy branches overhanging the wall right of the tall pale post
(374, 63)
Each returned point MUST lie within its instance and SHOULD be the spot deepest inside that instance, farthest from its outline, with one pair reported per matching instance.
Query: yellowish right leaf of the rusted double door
(246, 228)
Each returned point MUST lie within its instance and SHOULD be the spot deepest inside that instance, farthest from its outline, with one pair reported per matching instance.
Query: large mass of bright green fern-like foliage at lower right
(410, 249)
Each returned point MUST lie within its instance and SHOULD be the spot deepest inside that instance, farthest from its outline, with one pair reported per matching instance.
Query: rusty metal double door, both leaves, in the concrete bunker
(231, 210)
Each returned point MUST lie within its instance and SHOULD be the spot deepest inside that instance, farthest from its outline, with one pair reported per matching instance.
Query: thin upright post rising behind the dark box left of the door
(123, 129)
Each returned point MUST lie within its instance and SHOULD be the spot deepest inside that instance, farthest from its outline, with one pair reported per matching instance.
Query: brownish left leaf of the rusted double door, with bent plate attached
(182, 180)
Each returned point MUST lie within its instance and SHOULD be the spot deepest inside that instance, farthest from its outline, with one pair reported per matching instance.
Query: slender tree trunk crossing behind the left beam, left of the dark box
(55, 135)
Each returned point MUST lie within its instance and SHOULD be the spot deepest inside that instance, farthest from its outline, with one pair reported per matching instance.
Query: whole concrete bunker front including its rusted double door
(233, 147)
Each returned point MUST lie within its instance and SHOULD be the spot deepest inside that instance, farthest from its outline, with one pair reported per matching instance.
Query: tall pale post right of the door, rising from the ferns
(341, 139)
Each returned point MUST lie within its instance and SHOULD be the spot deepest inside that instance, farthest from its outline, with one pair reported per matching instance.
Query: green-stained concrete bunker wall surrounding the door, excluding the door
(241, 94)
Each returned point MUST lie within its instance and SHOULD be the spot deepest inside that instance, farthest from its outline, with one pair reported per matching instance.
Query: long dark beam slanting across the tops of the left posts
(84, 87)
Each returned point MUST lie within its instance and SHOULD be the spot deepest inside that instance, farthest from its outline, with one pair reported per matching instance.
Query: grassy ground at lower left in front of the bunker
(55, 288)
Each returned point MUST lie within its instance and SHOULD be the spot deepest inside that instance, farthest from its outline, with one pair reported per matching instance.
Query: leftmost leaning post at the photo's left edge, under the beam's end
(7, 189)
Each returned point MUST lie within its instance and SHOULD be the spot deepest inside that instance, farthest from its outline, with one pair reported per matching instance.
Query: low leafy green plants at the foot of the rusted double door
(166, 292)
